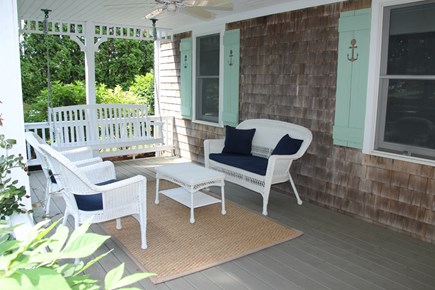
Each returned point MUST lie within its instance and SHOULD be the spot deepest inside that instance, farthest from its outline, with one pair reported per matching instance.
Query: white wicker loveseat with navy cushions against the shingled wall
(268, 162)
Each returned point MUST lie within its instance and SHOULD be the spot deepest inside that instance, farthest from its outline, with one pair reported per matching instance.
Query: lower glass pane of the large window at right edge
(410, 116)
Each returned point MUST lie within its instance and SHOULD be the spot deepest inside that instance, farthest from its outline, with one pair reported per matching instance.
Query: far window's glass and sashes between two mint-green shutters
(207, 78)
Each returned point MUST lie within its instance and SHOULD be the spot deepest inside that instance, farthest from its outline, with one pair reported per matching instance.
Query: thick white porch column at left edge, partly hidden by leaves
(11, 96)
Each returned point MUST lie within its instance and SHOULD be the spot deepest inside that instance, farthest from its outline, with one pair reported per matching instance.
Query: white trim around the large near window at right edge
(373, 83)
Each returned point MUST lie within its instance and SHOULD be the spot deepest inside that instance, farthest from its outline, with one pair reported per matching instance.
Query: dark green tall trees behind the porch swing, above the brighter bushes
(117, 62)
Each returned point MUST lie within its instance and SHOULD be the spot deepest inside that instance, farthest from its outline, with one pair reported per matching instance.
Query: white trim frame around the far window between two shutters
(207, 30)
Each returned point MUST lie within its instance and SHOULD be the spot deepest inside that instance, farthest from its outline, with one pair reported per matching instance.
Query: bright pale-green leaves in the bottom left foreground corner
(39, 262)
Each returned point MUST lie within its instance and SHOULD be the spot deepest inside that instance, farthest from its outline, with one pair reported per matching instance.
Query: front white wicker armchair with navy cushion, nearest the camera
(109, 200)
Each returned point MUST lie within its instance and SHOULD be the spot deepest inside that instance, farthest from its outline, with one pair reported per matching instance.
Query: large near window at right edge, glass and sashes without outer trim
(406, 104)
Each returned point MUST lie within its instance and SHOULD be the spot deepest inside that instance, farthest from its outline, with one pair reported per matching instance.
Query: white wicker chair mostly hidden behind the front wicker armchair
(80, 157)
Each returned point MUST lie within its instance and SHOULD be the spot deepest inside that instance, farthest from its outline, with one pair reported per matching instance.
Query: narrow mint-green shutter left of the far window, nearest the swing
(186, 77)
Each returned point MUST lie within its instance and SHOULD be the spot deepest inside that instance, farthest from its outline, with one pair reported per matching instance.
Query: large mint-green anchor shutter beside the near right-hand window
(352, 75)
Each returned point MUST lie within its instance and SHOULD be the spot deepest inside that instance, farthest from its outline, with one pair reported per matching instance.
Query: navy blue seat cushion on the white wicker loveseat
(252, 164)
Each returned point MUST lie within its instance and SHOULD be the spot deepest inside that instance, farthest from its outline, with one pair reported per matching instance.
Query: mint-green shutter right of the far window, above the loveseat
(230, 110)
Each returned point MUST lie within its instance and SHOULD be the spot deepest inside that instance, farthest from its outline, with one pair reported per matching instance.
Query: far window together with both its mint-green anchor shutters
(209, 86)
